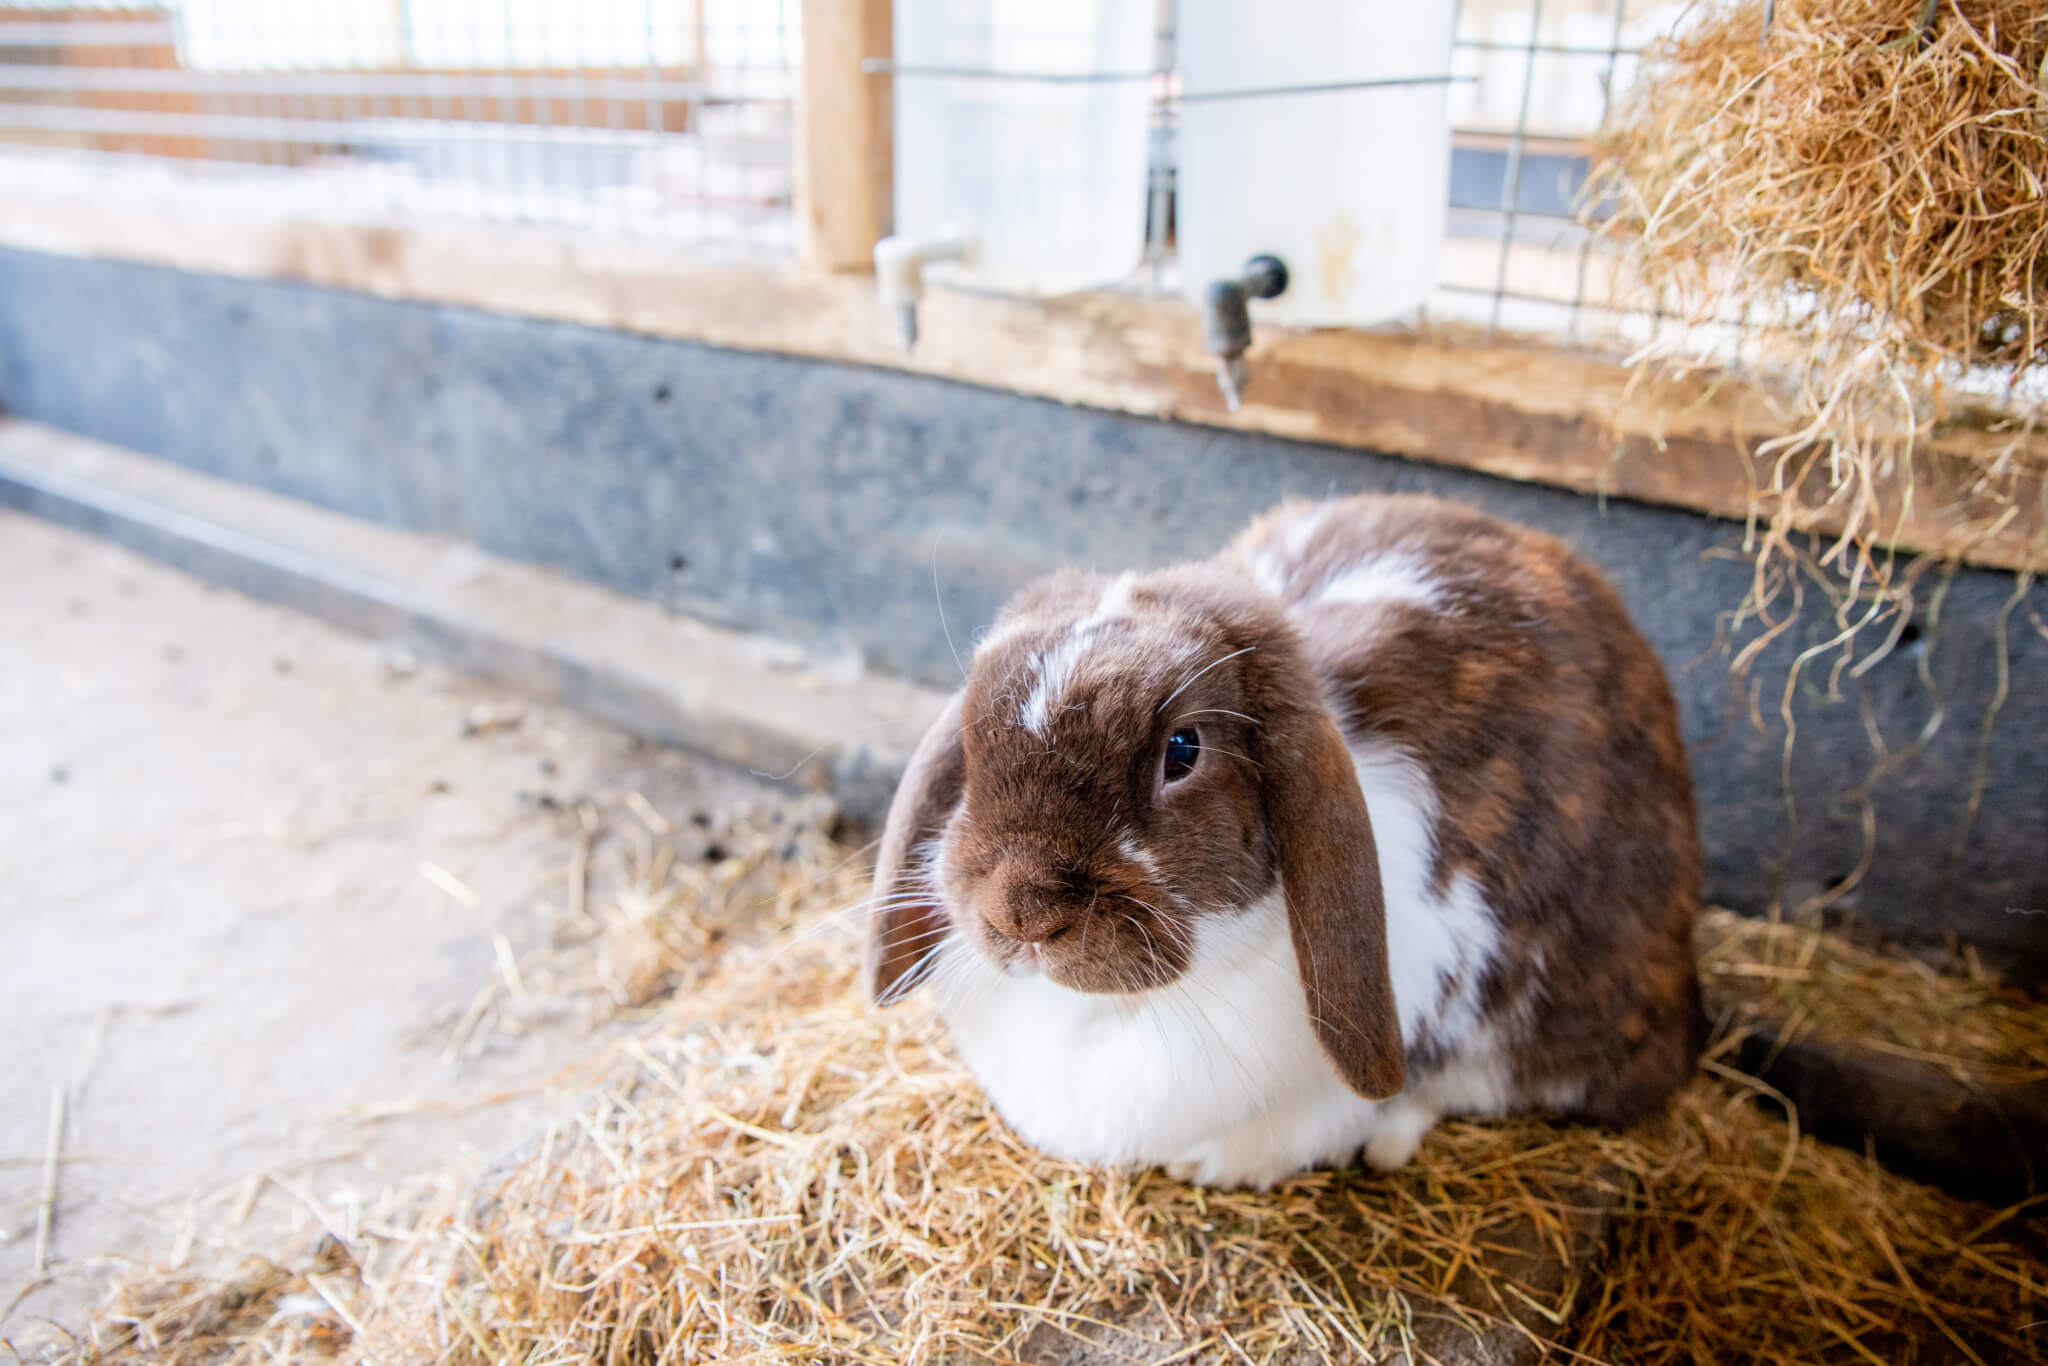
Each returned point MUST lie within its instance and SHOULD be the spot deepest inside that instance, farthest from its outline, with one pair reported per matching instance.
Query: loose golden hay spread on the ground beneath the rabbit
(783, 1175)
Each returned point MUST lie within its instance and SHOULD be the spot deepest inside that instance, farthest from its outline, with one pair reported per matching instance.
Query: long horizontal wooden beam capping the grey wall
(1504, 409)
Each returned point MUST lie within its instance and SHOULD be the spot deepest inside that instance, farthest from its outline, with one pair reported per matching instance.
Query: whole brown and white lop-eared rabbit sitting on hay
(1248, 865)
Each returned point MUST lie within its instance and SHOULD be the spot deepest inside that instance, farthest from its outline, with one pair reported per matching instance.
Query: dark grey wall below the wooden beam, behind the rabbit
(816, 501)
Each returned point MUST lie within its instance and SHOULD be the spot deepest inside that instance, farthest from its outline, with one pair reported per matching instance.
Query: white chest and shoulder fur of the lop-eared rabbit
(1220, 1076)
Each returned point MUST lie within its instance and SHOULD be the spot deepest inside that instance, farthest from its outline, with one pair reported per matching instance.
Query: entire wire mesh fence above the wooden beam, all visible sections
(675, 120)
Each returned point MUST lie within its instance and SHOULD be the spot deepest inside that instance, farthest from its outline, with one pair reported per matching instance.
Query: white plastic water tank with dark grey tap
(1347, 187)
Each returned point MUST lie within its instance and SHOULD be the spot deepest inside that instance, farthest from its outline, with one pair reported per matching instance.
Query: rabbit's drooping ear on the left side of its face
(904, 912)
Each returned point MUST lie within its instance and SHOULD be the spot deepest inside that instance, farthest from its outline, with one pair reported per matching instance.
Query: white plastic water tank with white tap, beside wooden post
(1046, 177)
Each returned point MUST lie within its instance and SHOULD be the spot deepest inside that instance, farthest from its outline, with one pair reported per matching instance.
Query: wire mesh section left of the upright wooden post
(648, 118)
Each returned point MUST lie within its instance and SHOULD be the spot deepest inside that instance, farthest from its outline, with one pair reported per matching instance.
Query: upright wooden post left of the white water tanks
(845, 136)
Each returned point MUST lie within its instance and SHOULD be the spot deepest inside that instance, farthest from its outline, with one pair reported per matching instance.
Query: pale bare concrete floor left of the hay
(218, 931)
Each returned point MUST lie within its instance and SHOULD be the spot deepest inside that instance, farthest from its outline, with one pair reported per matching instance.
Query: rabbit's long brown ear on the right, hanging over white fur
(1330, 871)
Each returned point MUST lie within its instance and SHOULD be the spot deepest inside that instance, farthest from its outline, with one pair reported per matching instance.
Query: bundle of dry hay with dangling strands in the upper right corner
(1867, 196)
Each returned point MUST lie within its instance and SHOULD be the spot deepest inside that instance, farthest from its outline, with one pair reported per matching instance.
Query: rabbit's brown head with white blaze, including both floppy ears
(1129, 757)
